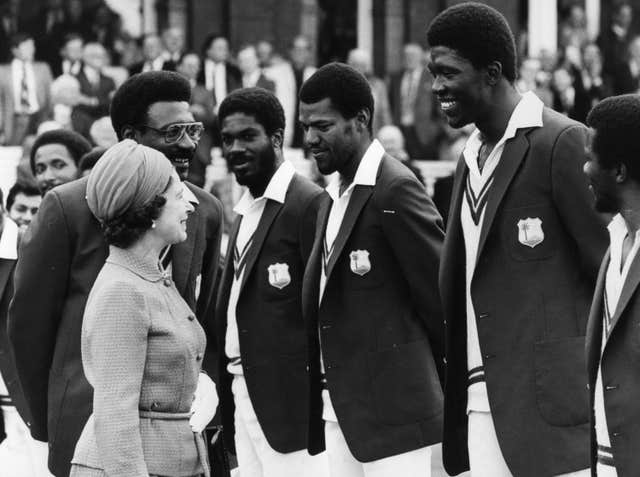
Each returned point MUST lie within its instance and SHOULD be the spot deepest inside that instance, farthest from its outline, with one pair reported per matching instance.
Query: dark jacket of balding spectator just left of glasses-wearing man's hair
(83, 116)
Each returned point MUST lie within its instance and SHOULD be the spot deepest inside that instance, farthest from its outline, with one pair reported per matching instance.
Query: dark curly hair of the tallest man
(479, 33)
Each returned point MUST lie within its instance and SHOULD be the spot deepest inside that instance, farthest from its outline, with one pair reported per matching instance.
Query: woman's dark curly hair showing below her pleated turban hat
(125, 230)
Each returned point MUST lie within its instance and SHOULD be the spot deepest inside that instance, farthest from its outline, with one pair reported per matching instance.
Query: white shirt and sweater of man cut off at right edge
(614, 281)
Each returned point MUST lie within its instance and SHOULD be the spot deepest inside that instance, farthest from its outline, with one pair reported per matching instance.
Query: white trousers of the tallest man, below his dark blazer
(485, 456)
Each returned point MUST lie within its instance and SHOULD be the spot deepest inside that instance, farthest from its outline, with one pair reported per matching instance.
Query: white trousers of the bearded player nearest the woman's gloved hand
(256, 458)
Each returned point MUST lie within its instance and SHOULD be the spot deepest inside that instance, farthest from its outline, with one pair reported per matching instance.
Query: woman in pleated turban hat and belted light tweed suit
(142, 347)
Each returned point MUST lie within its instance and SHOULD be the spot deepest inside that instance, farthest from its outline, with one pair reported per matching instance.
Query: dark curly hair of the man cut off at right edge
(616, 125)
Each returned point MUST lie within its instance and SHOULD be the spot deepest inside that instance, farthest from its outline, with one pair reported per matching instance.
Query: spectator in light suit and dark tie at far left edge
(25, 92)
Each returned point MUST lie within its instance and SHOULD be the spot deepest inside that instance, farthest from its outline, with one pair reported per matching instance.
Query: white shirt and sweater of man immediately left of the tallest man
(365, 175)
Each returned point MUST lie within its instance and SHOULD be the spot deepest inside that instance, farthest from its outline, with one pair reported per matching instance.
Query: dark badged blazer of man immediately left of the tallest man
(382, 336)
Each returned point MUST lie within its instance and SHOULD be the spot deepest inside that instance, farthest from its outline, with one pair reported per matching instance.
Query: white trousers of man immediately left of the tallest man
(415, 463)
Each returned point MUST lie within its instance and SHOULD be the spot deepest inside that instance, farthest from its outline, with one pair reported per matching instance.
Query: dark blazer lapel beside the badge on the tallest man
(514, 152)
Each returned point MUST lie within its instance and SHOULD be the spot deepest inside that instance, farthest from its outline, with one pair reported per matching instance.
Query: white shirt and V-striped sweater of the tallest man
(527, 113)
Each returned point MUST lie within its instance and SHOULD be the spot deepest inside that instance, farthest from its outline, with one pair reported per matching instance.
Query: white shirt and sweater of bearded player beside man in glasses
(251, 211)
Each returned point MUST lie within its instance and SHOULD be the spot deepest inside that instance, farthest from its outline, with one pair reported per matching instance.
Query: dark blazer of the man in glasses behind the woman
(60, 257)
